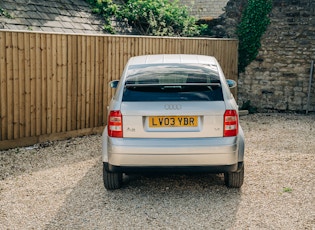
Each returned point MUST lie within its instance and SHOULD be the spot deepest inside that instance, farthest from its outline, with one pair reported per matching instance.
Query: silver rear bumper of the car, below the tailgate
(211, 154)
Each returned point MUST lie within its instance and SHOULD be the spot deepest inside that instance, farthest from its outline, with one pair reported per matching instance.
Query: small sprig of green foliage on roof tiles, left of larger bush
(107, 9)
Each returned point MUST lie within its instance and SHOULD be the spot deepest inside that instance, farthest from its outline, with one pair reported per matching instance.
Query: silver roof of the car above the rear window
(173, 58)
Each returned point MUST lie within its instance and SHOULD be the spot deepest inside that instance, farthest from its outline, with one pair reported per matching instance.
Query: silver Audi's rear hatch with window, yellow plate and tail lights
(171, 101)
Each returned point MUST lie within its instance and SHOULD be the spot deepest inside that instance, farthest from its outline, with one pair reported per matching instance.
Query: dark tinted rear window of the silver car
(172, 82)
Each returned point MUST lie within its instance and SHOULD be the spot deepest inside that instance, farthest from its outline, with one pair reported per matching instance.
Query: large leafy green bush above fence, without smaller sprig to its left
(160, 18)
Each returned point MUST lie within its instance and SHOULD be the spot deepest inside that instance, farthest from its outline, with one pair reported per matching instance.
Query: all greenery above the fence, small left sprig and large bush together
(149, 17)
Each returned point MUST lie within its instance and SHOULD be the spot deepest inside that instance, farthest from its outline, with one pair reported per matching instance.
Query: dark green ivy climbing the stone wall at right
(253, 25)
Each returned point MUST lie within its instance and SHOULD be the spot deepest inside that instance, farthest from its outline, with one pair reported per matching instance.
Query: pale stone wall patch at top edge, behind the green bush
(205, 8)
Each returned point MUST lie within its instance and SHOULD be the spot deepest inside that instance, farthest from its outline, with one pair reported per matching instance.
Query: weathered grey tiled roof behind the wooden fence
(65, 16)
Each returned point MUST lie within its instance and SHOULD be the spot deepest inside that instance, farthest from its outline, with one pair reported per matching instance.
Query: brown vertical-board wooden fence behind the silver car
(54, 86)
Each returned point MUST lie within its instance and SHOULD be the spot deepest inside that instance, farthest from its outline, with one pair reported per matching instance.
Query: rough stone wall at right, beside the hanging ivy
(279, 77)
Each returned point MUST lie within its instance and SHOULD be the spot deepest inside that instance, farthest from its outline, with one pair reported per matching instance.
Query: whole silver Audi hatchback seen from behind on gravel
(173, 113)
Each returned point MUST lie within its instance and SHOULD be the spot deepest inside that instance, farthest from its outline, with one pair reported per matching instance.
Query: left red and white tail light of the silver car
(114, 125)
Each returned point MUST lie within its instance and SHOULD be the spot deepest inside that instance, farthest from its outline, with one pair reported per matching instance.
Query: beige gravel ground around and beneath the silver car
(59, 186)
